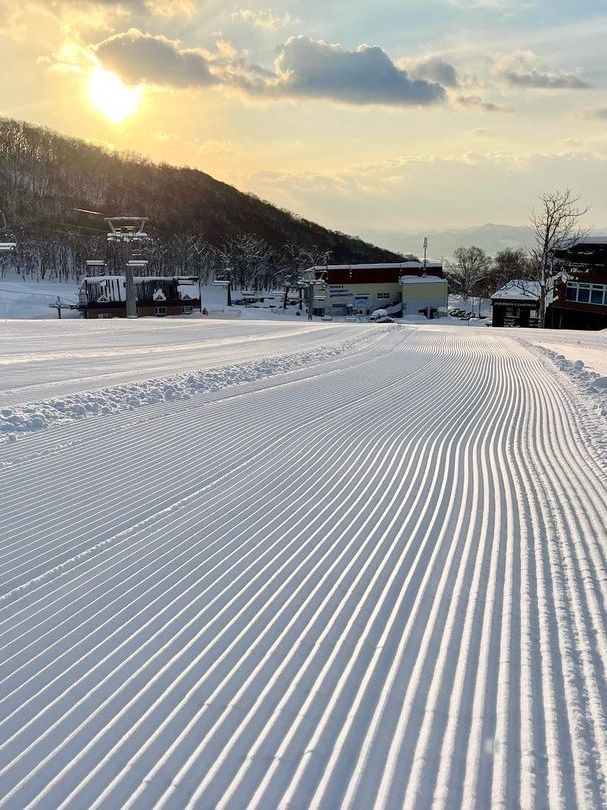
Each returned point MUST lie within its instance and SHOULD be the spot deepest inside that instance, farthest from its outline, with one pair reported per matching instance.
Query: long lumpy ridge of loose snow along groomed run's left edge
(59, 410)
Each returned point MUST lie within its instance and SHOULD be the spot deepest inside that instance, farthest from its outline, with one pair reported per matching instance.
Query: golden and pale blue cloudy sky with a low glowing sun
(365, 116)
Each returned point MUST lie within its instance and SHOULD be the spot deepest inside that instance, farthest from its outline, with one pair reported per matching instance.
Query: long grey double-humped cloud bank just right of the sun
(303, 68)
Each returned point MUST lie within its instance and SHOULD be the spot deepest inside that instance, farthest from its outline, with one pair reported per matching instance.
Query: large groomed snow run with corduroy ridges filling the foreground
(377, 581)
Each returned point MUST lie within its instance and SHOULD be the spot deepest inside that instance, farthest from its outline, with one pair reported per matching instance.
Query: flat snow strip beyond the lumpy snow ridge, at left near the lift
(44, 359)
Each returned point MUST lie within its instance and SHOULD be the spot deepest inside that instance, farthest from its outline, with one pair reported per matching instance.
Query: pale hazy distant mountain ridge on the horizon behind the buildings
(490, 237)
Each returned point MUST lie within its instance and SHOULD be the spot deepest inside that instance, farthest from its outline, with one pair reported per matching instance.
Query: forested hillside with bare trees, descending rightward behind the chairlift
(196, 221)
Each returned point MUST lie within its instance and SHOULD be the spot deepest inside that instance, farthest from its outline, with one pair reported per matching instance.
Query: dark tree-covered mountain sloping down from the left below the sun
(44, 176)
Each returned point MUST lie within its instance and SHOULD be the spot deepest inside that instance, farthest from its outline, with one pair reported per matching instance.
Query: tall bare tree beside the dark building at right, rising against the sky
(555, 225)
